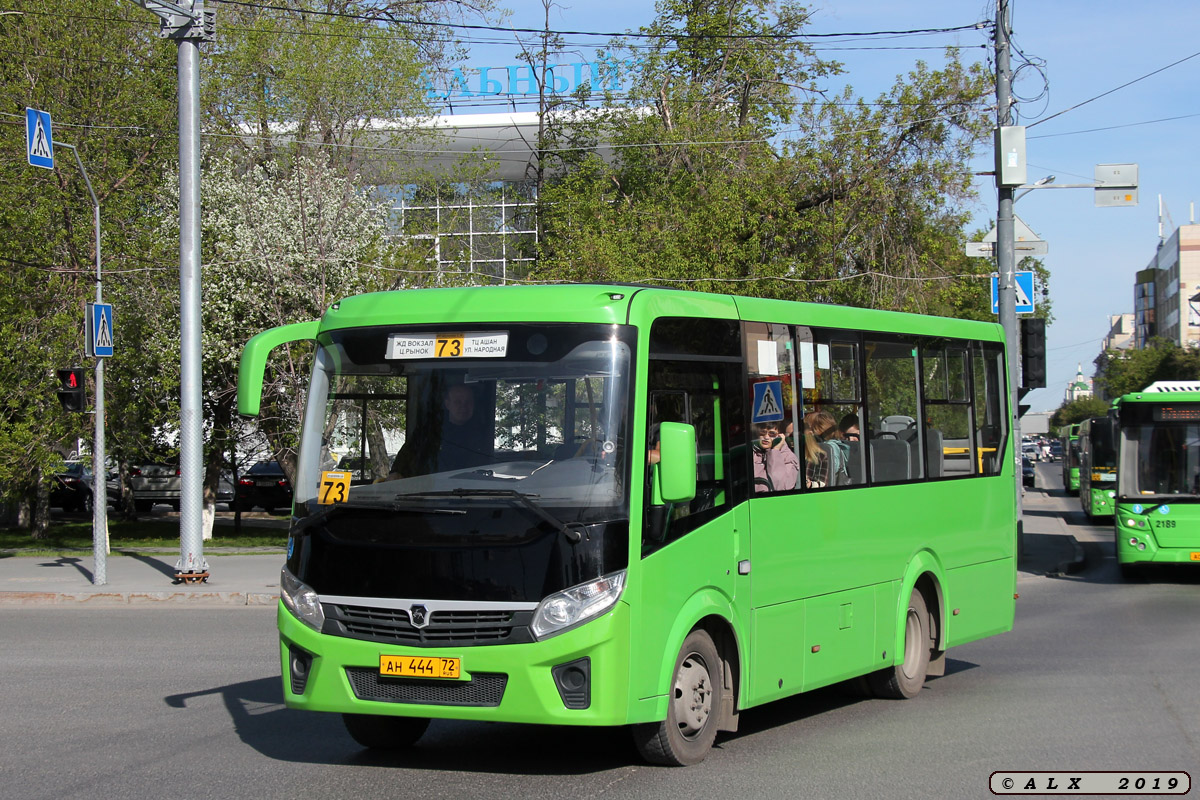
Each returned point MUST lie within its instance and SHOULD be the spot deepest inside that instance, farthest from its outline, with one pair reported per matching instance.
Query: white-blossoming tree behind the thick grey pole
(279, 246)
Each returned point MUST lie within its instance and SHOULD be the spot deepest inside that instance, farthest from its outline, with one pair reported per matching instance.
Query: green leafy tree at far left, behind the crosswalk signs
(99, 69)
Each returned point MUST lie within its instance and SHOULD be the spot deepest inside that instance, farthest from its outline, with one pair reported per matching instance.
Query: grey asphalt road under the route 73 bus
(145, 702)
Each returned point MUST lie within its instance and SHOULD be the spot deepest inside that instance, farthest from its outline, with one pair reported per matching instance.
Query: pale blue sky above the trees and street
(1082, 56)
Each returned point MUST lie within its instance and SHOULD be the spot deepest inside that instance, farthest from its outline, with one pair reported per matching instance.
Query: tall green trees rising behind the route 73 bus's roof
(867, 207)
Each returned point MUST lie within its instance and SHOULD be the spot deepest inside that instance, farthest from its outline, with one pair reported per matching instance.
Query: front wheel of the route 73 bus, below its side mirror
(687, 735)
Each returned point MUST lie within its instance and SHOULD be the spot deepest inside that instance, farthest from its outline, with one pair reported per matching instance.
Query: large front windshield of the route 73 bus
(532, 416)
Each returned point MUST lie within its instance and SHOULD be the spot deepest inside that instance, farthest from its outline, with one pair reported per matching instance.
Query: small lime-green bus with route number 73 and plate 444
(596, 506)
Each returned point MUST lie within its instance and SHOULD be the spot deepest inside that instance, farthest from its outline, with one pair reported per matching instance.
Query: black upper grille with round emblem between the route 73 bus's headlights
(446, 628)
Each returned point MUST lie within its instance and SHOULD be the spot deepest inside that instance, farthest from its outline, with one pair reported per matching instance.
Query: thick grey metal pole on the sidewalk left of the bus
(189, 25)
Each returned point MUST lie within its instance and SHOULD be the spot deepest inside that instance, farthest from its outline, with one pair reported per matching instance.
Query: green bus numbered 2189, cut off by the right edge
(1159, 495)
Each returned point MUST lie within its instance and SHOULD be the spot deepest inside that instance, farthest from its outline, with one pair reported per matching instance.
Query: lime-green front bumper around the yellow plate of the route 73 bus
(513, 683)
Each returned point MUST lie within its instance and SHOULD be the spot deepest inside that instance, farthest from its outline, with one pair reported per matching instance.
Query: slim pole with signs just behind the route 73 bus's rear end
(1006, 256)
